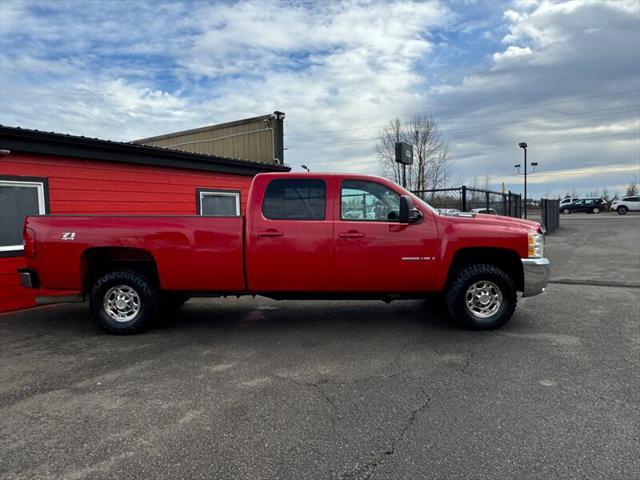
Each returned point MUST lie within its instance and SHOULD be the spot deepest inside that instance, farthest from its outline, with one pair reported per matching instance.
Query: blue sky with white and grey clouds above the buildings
(563, 76)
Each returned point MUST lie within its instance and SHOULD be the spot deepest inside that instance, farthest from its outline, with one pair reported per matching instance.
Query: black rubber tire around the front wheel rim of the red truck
(456, 296)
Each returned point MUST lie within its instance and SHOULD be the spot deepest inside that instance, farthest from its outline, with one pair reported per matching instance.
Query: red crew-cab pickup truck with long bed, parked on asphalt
(304, 236)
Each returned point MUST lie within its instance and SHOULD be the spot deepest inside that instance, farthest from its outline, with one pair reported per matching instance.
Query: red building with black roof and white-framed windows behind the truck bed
(50, 173)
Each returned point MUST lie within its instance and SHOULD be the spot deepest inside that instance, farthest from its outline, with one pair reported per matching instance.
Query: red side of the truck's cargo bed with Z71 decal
(192, 253)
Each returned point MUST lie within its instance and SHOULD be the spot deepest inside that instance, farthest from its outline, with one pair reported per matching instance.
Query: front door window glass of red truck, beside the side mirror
(366, 200)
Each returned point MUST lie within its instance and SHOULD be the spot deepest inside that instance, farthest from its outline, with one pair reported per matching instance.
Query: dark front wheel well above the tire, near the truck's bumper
(506, 259)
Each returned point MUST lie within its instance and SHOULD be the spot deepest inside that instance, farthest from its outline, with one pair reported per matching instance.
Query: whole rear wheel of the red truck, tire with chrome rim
(142, 316)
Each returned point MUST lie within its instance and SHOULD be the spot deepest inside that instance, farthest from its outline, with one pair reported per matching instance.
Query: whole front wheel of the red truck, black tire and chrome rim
(481, 297)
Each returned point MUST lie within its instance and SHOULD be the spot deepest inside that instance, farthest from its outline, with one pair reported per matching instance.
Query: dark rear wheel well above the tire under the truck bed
(98, 261)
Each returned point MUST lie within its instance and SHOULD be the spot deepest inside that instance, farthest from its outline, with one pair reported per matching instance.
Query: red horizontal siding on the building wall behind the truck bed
(87, 186)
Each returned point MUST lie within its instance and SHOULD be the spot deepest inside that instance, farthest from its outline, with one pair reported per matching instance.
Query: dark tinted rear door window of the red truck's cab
(296, 199)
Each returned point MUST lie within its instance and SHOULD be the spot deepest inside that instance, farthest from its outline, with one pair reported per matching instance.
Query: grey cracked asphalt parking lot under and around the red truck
(255, 388)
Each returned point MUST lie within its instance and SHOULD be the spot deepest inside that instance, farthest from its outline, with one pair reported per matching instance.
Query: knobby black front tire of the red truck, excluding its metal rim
(457, 288)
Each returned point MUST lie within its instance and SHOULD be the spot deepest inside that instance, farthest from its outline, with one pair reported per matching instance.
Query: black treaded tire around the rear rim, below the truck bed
(149, 298)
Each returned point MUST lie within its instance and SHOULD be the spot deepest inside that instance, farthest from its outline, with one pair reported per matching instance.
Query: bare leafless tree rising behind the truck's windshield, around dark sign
(430, 153)
